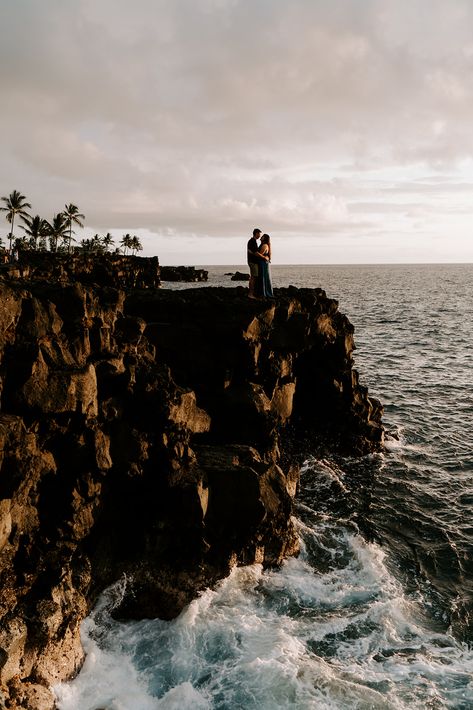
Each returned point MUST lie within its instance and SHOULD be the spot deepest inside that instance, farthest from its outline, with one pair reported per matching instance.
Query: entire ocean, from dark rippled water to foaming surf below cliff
(376, 611)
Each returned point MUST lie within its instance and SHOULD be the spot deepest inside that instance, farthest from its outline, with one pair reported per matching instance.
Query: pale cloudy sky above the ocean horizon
(343, 128)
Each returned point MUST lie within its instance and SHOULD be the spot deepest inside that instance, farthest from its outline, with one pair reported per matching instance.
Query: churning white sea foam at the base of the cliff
(291, 638)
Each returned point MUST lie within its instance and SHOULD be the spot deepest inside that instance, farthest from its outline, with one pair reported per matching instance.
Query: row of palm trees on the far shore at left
(57, 235)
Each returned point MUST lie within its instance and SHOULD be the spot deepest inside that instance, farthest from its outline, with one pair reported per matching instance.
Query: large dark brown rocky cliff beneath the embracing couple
(141, 433)
